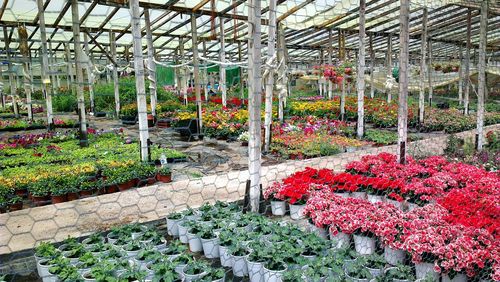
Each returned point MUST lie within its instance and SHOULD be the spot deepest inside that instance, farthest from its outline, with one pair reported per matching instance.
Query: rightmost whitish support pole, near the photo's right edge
(481, 68)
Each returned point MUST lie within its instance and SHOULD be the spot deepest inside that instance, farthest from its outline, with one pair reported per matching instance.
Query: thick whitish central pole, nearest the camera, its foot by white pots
(254, 93)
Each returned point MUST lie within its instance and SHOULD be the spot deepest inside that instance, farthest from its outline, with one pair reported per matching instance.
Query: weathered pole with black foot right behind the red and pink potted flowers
(403, 79)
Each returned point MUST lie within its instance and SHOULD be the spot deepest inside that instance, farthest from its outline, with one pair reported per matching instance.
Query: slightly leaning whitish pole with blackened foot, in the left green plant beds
(79, 73)
